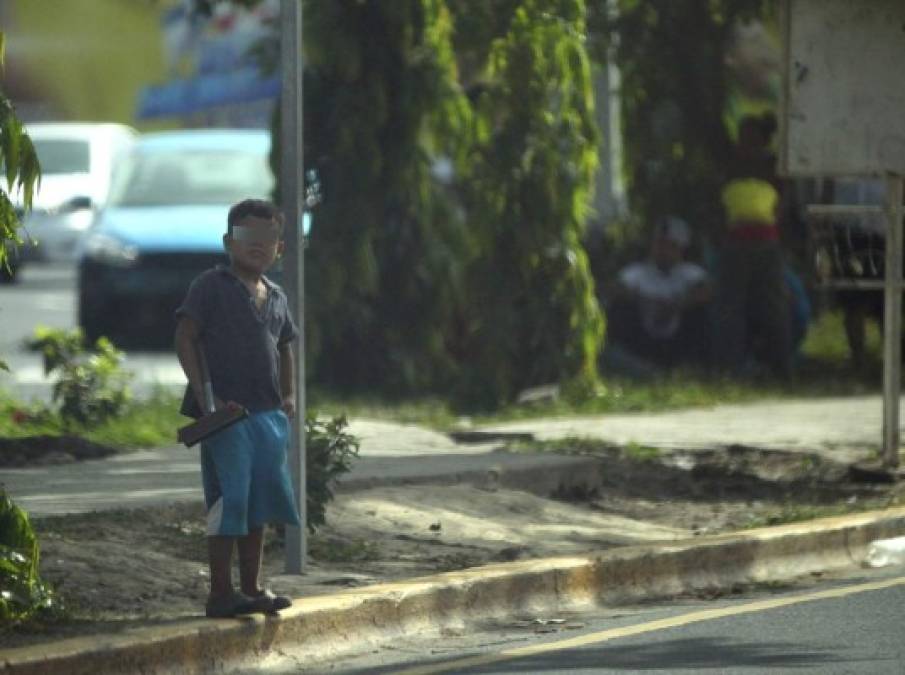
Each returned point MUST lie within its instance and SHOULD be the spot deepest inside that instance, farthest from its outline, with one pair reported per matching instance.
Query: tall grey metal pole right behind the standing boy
(293, 198)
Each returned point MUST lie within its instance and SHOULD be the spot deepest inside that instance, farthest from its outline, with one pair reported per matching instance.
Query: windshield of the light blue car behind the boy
(183, 177)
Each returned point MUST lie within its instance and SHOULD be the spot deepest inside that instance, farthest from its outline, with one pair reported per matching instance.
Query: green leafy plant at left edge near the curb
(23, 595)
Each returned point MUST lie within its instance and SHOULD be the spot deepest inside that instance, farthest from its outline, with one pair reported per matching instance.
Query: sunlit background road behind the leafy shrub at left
(46, 295)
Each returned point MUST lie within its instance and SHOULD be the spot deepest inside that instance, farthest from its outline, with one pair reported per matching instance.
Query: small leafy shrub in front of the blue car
(91, 385)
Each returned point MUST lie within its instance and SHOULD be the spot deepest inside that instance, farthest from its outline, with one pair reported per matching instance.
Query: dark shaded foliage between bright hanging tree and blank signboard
(676, 86)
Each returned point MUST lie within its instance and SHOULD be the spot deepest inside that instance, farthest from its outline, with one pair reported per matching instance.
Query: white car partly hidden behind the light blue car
(77, 160)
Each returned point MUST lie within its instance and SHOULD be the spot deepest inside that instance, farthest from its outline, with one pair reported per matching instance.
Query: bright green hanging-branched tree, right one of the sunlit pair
(534, 315)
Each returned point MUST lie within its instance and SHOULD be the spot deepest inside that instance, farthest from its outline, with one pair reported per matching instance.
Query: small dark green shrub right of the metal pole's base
(329, 454)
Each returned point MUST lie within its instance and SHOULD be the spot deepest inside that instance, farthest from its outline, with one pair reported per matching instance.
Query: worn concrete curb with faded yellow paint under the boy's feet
(323, 626)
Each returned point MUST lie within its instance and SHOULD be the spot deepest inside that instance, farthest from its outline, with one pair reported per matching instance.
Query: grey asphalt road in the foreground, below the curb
(855, 624)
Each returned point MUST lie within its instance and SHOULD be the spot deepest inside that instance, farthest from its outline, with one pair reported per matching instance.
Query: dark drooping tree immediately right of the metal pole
(384, 271)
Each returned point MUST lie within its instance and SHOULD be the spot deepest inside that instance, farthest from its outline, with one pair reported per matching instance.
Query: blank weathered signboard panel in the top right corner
(844, 103)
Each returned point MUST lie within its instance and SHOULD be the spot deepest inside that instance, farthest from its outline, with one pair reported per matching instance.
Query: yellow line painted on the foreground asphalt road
(650, 627)
